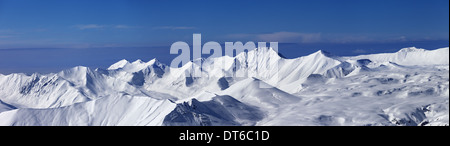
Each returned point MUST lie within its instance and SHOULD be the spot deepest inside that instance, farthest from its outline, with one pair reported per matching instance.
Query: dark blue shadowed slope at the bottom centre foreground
(219, 111)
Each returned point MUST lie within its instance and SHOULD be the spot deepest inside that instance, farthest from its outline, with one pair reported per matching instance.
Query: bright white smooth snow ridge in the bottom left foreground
(107, 111)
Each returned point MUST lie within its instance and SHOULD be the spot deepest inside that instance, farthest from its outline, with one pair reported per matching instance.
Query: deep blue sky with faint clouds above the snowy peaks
(344, 27)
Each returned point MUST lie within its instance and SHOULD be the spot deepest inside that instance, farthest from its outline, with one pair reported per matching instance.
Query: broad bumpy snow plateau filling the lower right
(388, 96)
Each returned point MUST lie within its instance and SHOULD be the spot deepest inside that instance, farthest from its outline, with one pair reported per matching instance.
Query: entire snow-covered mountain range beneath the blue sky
(406, 88)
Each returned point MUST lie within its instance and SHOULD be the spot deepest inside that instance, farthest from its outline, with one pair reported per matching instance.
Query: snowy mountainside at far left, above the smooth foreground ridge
(39, 91)
